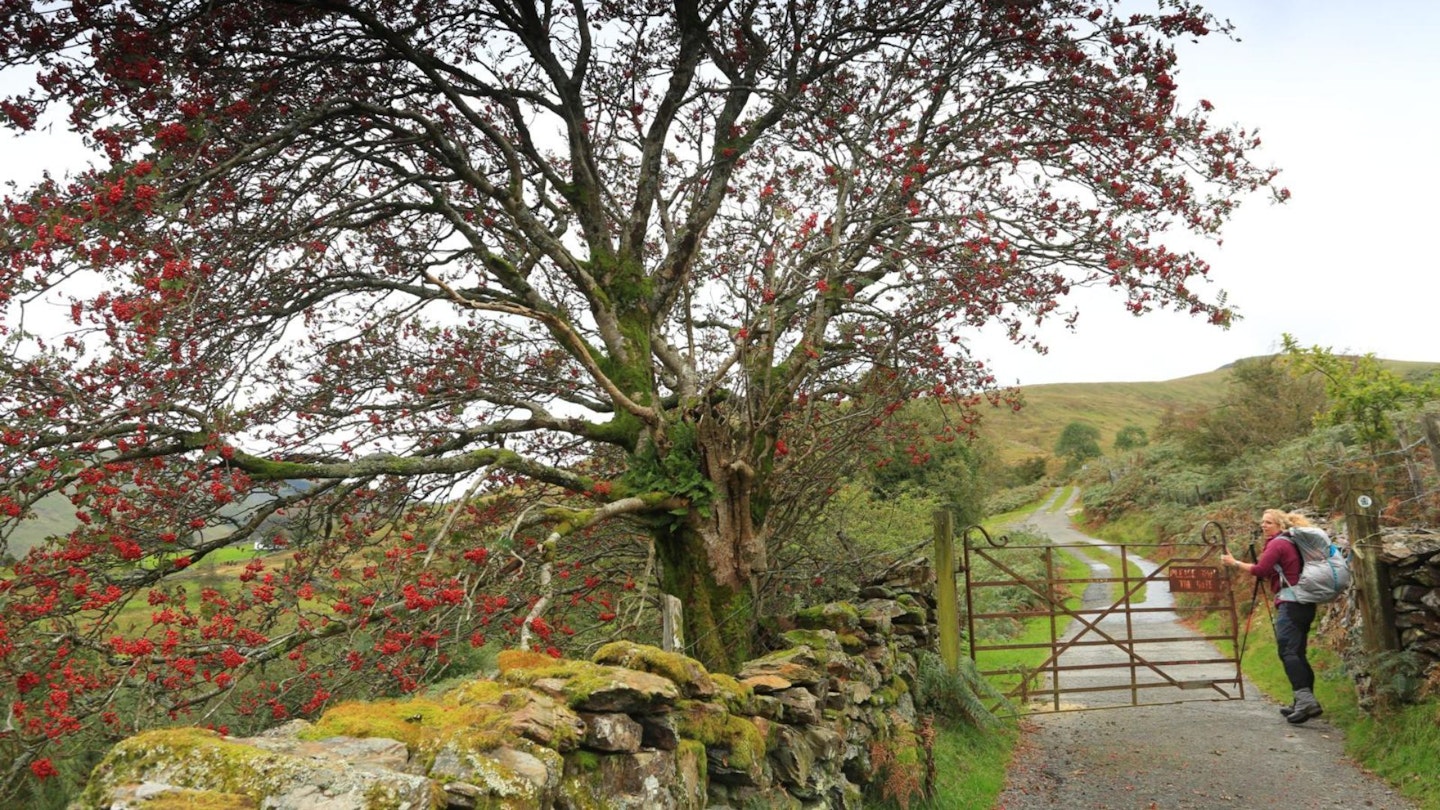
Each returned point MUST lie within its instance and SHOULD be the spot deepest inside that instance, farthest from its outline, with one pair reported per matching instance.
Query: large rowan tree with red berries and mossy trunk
(336, 264)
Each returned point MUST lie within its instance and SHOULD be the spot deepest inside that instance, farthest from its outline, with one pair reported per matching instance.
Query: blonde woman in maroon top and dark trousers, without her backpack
(1292, 620)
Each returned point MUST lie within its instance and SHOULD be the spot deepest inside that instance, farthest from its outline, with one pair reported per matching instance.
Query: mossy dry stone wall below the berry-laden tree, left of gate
(817, 724)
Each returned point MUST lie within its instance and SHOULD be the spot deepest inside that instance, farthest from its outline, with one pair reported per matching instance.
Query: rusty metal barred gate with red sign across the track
(1101, 651)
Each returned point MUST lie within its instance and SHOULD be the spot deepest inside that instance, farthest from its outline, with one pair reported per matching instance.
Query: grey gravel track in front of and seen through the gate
(1183, 756)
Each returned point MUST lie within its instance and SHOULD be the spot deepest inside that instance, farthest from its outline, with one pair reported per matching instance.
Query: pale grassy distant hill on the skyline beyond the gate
(1111, 406)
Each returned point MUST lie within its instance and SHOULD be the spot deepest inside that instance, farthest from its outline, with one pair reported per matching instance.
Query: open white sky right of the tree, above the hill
(1347, 100)
